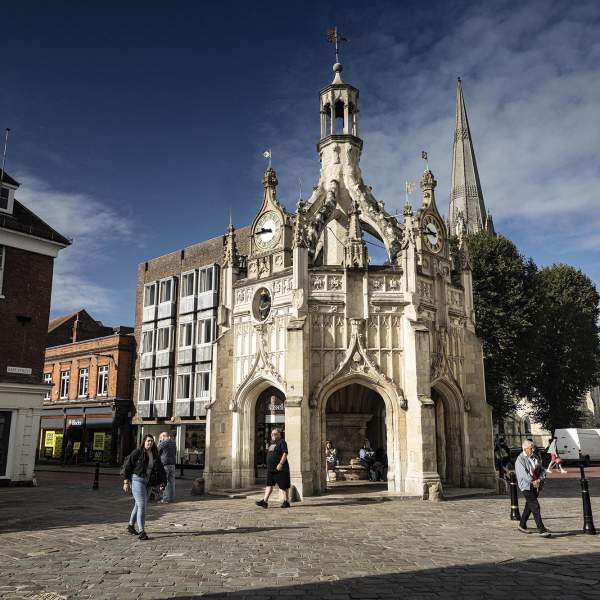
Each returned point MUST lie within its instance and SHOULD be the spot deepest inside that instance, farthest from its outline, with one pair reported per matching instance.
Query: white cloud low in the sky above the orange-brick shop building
(94, 226)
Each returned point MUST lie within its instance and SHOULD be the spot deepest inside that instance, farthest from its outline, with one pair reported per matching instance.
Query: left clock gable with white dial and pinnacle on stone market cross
(271, 234)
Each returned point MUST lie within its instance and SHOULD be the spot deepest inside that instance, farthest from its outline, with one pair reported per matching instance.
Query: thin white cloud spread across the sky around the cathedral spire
(531, 78)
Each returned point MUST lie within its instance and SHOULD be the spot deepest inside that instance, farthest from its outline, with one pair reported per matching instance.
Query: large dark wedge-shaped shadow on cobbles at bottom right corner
(548, 577)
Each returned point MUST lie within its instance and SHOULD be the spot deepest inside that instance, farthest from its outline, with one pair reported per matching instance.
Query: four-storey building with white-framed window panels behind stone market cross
(177, 297)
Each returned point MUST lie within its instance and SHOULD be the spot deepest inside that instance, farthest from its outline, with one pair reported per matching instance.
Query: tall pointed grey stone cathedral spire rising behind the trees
(466, 197)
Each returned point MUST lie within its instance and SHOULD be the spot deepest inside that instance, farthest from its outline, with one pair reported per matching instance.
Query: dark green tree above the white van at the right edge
(566, 346)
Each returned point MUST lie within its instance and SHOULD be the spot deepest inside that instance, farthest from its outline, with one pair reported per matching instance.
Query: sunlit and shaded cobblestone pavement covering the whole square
(63, 540)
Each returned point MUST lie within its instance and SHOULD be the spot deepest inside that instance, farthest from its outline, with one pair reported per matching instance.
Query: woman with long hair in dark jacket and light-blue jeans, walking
(141, 470)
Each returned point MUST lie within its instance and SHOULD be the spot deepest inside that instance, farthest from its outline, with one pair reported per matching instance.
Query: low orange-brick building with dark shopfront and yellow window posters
(87, 411)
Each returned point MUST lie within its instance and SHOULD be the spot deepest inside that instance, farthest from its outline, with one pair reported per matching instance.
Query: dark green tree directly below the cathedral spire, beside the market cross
(505, 313)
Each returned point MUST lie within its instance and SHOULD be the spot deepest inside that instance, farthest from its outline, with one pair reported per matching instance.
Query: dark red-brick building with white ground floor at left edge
(28, 247)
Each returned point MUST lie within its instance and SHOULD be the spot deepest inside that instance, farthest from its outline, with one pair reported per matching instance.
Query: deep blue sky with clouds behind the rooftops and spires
(137, 126)
